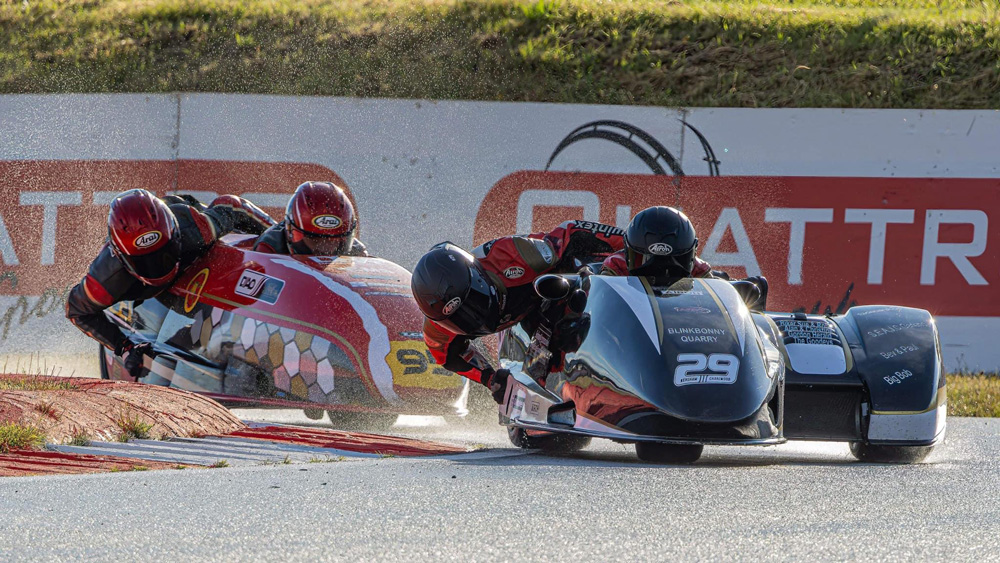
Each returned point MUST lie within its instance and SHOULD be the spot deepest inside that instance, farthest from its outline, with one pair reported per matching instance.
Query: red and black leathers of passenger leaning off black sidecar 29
(513, 263)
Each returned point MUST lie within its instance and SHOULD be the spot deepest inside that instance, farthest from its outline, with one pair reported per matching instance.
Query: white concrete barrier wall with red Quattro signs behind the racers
(834, 206)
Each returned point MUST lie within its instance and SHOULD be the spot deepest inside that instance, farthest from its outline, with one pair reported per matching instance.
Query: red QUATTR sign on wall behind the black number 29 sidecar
(824, 243)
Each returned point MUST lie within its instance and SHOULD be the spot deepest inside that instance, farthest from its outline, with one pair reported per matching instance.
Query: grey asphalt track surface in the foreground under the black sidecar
(793, 502)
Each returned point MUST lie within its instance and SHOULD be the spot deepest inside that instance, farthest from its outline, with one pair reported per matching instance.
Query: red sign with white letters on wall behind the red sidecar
(53, 214)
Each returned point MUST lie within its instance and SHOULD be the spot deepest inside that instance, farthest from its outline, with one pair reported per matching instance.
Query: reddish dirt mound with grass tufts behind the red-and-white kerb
(104, 410)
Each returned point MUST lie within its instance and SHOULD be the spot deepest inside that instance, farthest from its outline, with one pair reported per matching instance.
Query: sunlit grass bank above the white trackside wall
(770, 53)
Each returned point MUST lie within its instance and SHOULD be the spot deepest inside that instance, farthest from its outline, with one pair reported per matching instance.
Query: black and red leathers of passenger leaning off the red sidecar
(108, 282)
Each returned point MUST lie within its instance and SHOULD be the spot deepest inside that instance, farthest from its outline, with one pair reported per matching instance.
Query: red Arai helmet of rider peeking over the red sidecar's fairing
(320, 220)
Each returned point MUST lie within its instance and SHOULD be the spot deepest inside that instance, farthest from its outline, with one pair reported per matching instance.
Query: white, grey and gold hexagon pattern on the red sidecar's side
(304, 366)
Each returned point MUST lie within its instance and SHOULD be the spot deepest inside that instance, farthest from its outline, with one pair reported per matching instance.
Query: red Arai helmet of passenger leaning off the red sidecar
(144, 236)
